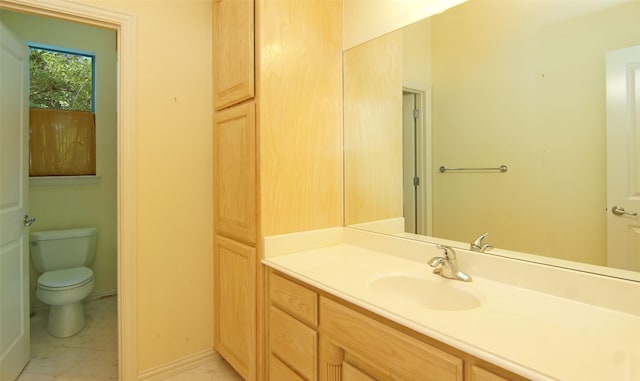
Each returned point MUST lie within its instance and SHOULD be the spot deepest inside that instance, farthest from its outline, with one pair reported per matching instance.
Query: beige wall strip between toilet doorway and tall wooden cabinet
(173, 177)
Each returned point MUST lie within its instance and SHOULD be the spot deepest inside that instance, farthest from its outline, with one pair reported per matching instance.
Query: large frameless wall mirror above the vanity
(515, 118)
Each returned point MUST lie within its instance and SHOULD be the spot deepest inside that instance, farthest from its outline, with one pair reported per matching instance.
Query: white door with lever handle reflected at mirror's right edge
(623, 158)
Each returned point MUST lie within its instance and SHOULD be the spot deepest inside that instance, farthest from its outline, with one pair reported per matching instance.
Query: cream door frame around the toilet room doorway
(124, 25)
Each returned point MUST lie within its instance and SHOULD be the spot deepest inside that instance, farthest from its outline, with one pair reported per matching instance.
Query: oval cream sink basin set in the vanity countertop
(429, 291)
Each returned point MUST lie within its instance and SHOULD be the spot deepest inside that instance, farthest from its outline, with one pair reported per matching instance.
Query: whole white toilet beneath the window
(62, 256)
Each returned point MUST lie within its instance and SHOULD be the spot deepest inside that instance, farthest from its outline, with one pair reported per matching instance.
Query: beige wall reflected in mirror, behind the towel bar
(516, 87)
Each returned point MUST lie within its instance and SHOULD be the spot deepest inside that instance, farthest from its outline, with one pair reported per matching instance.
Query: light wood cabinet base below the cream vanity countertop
(315, 336)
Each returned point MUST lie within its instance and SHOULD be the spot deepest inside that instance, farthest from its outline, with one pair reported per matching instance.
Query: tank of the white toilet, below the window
(62, 249)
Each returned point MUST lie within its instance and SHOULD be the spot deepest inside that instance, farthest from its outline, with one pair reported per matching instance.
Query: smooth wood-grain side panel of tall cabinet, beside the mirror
(299, 92)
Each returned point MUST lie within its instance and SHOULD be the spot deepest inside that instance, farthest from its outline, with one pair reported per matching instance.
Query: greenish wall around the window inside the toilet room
(94, 204)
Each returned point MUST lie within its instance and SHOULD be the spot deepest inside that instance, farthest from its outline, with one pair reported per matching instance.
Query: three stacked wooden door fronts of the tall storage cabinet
(235, 259)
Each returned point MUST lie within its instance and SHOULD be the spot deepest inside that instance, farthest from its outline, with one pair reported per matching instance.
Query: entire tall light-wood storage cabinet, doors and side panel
(277, 150)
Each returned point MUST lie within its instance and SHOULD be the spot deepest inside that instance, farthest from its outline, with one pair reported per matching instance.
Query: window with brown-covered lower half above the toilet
(61, 113)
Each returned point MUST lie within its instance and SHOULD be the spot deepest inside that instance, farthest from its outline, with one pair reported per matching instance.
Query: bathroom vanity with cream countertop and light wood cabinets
(345, 304)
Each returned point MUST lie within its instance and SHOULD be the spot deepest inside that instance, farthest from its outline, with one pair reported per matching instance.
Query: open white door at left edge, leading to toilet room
(14, 249)
